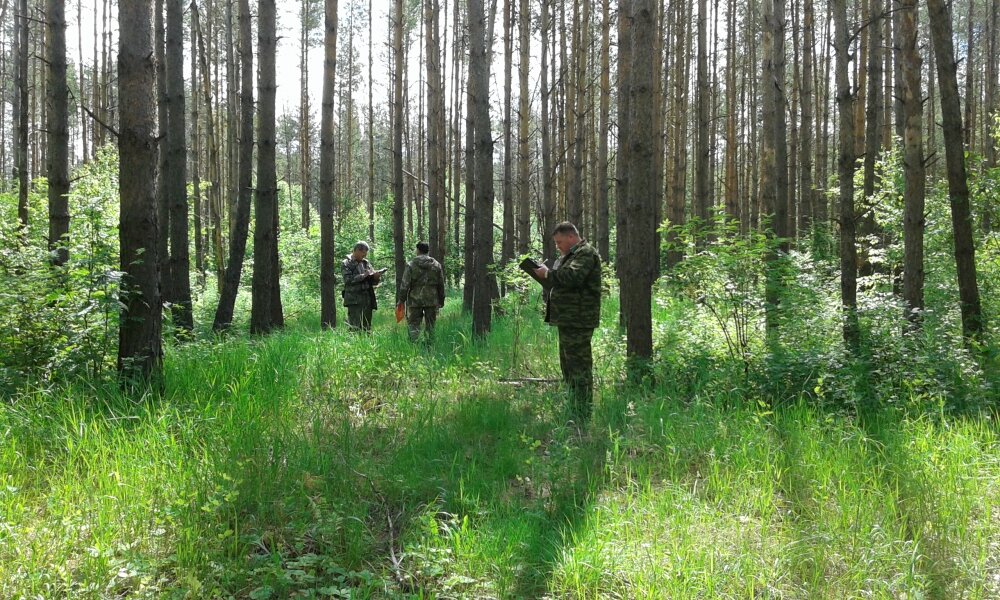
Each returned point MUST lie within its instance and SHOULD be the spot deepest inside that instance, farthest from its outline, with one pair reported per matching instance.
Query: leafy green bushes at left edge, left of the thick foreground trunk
(57, 323)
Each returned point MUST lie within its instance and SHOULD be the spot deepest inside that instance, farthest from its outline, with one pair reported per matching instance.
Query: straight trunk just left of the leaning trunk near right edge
(911, 101)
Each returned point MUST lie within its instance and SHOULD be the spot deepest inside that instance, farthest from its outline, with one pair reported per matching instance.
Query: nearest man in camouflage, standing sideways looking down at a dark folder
(574, 307)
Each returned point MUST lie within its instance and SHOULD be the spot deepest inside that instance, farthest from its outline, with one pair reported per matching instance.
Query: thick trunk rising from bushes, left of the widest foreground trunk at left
(57, 124)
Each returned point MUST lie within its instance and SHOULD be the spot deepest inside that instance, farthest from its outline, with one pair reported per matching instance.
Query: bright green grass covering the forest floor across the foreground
(323, 464)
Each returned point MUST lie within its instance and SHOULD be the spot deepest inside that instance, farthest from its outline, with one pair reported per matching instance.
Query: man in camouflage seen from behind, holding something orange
(422, 290)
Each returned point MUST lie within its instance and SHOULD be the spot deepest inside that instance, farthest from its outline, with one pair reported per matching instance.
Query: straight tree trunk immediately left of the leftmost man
(327, 171)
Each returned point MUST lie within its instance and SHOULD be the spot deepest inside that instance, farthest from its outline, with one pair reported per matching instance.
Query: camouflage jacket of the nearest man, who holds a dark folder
(575, 295)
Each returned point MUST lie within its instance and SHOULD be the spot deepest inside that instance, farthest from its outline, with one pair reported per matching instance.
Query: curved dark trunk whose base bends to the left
(241, 216)
